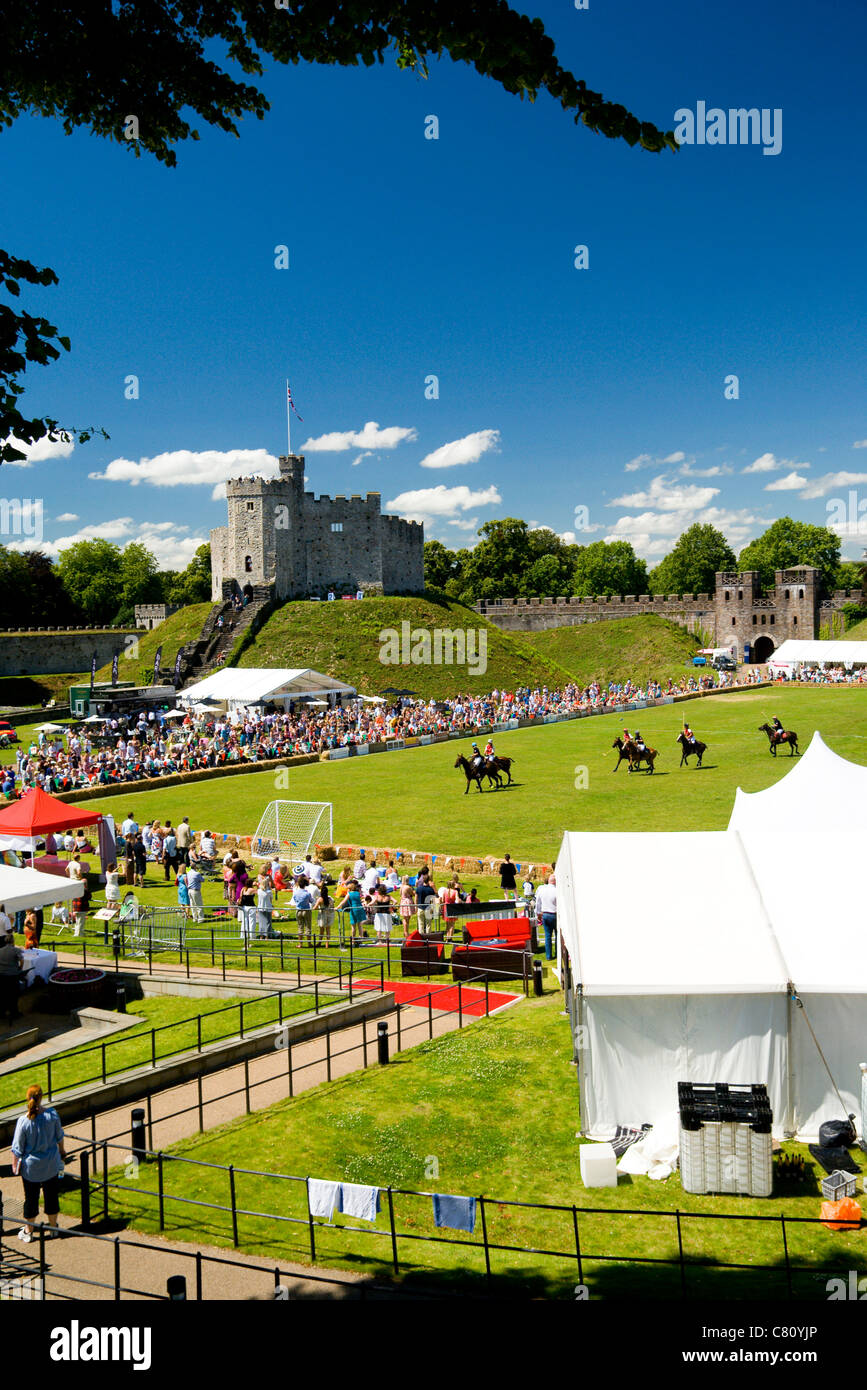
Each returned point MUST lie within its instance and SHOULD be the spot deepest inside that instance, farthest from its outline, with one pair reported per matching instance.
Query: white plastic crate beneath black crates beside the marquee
(727, 1157)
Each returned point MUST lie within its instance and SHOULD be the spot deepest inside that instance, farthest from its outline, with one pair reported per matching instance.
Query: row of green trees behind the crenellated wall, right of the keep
(512, 561)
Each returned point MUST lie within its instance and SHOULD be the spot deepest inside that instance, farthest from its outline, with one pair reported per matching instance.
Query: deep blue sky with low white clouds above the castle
(559, 389)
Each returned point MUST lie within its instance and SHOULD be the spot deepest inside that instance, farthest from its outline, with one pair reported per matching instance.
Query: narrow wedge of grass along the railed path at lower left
(176, 1018)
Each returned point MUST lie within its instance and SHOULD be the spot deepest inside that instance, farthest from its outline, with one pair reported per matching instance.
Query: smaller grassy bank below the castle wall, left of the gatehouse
(619, 648)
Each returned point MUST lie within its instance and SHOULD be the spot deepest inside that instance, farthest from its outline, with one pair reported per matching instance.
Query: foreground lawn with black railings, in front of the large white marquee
(497, 1109)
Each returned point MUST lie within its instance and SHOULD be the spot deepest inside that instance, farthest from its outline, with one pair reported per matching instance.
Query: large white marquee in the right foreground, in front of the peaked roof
(709, 957)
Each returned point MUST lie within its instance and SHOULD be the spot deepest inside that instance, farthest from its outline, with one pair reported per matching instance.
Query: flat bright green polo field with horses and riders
(415, 800)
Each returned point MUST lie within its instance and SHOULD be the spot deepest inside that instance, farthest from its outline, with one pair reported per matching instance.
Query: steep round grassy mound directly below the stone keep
(344, 640)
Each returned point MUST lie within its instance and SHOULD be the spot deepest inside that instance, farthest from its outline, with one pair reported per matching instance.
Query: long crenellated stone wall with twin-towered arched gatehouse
(736, 615)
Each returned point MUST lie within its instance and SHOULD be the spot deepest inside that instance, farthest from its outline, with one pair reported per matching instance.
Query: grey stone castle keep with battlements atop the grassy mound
(302, 547)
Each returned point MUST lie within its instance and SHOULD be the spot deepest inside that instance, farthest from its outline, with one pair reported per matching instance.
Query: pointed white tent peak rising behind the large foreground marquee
(820, 793)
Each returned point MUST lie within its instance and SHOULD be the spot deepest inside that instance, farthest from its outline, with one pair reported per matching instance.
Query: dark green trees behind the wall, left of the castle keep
(94, 582)
